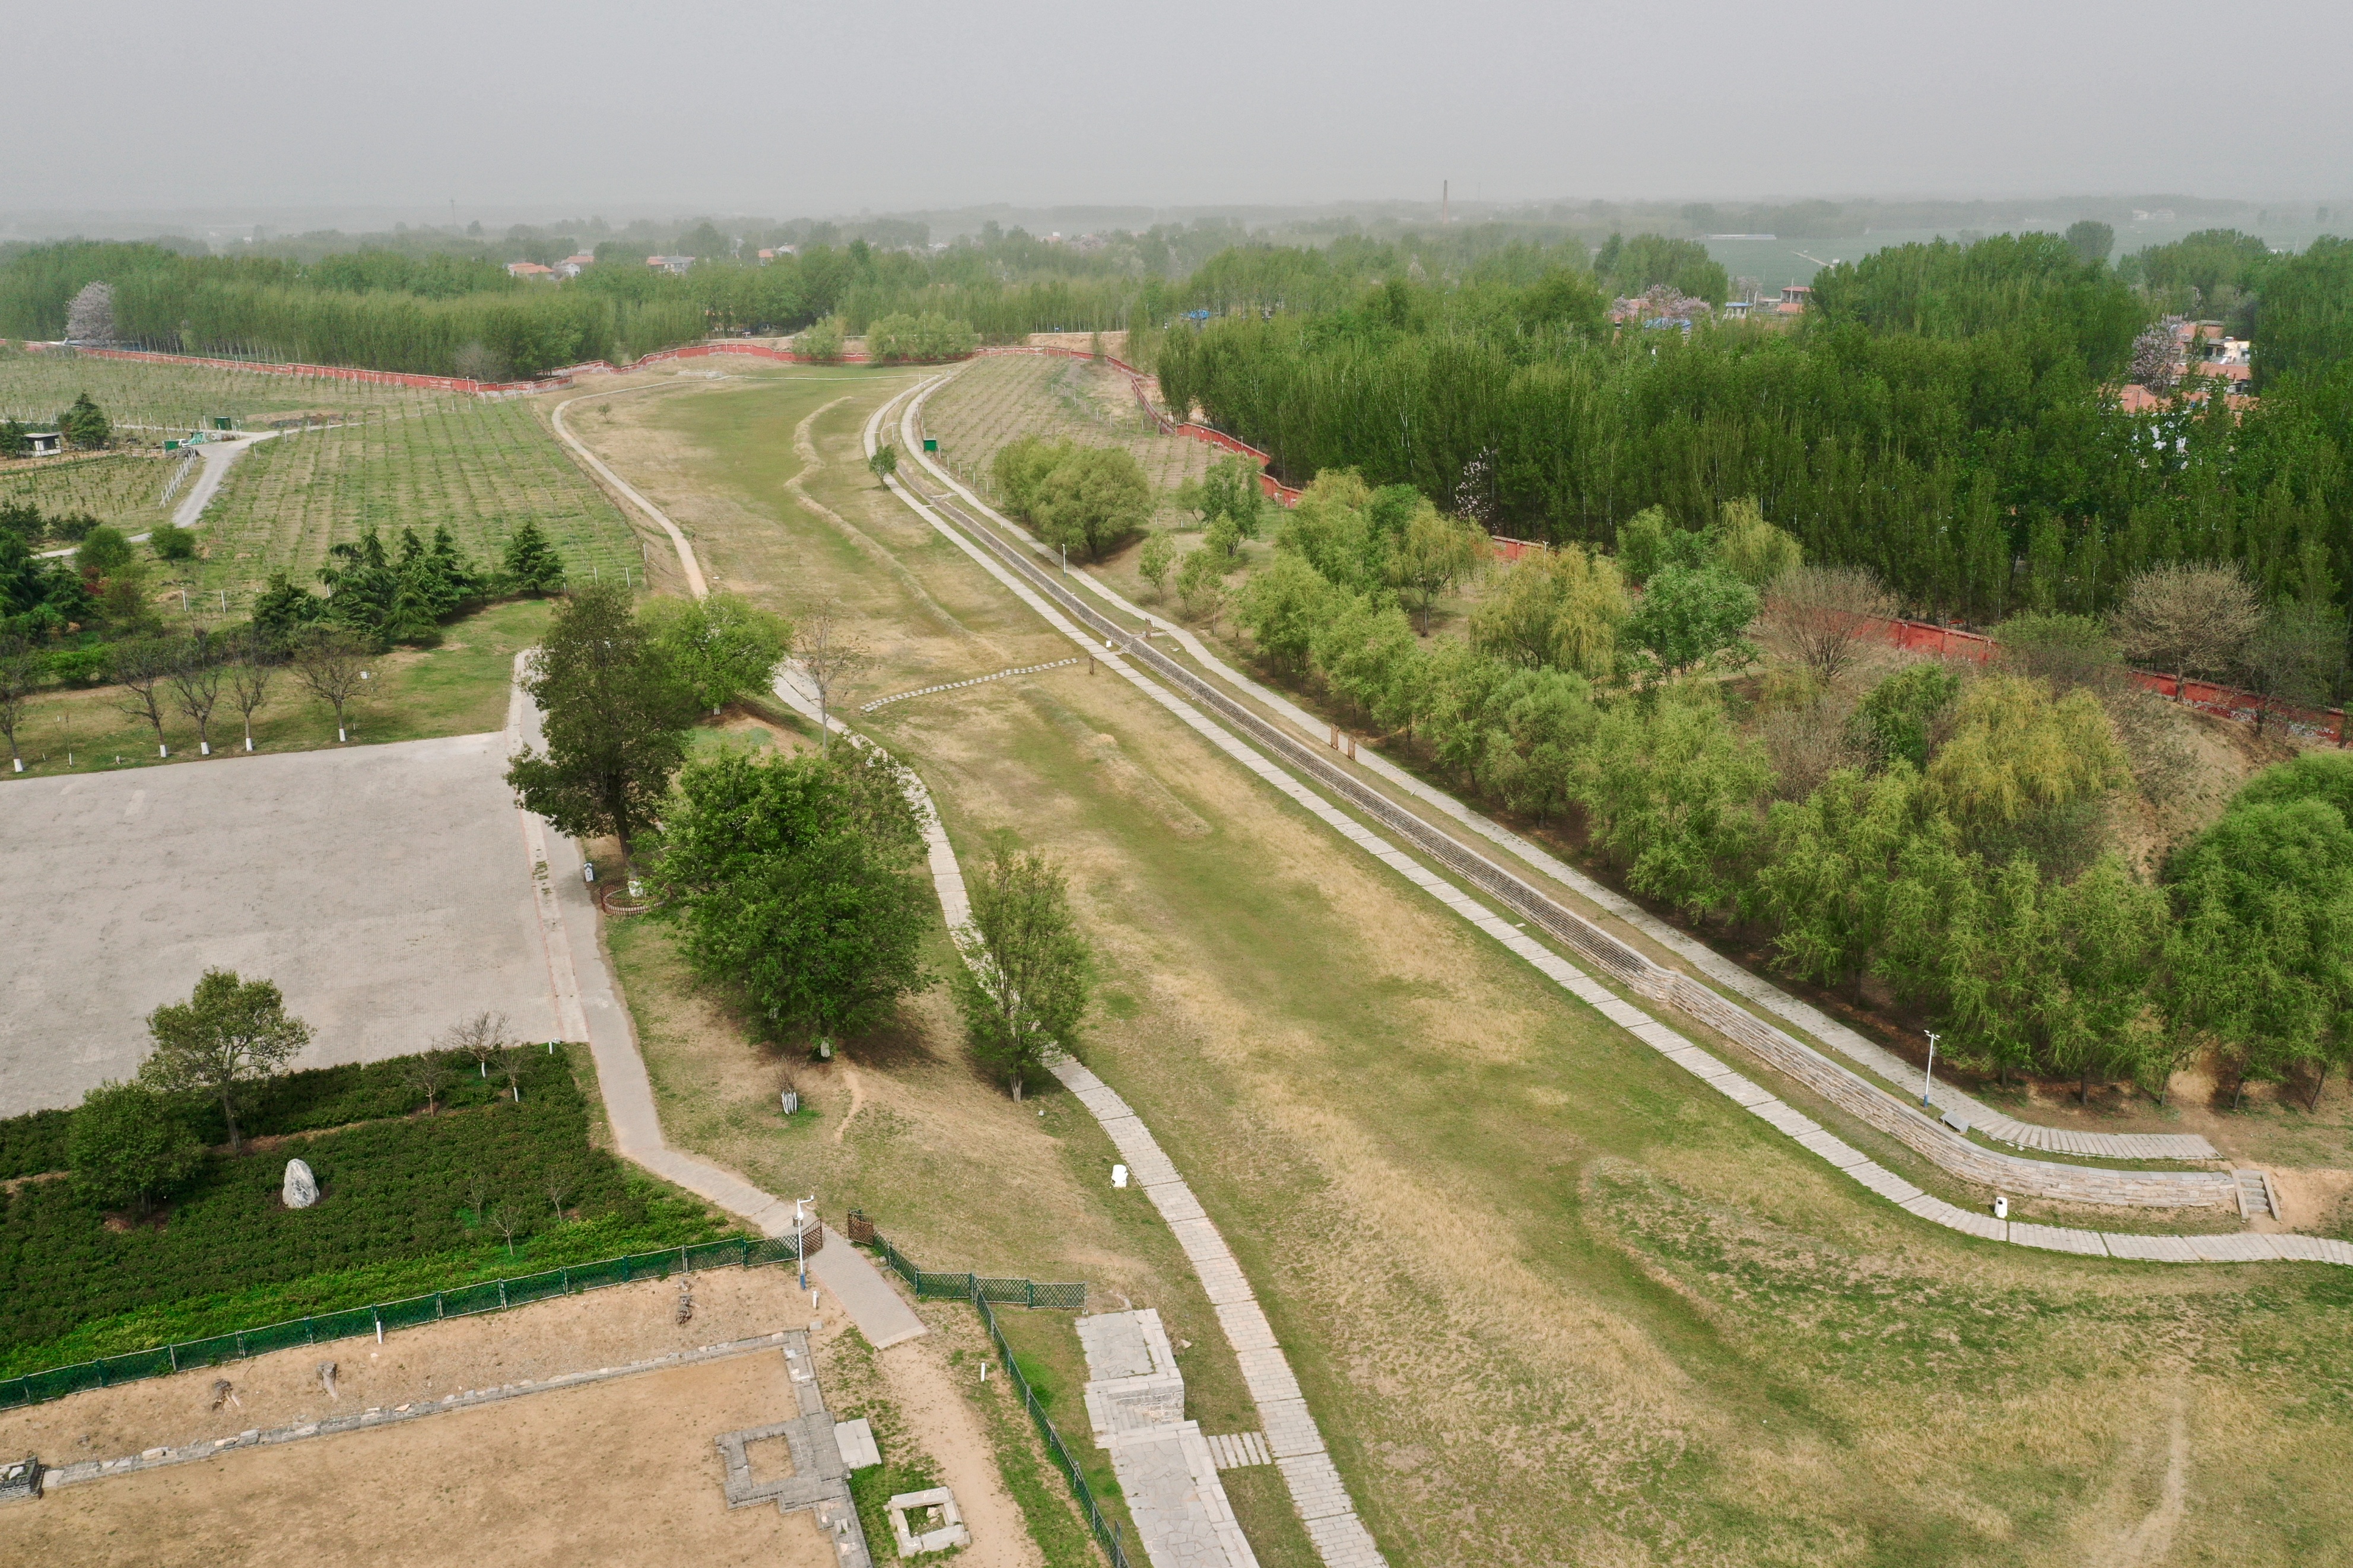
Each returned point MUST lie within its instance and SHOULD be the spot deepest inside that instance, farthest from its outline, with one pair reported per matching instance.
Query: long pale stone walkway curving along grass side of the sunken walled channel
(1634, 1019)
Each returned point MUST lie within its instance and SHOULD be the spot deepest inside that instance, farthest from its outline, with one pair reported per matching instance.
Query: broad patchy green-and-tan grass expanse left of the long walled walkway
(1552, 1301)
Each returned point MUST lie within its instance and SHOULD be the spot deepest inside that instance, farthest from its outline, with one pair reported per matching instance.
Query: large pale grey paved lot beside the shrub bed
(387, 890)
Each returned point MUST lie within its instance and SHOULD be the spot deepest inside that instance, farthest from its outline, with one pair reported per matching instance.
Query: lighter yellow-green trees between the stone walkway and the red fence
(1940, 833)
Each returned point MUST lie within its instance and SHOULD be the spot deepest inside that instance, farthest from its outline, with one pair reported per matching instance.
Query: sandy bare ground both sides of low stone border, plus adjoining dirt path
(618, 1470)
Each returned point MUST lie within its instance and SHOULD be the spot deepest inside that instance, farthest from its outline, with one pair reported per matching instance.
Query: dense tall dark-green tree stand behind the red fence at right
(1945, 420)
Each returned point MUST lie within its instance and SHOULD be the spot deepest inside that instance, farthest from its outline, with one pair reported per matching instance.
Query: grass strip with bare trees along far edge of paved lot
(451, 690)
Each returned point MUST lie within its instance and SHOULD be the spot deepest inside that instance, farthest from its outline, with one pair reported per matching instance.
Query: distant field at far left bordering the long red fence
(152, 403)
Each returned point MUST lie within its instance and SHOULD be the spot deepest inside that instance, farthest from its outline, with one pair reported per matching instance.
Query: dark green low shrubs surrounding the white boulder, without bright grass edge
(392, 1191)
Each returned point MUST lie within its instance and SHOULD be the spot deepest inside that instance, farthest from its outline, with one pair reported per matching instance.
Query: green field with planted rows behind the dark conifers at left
(476, 467)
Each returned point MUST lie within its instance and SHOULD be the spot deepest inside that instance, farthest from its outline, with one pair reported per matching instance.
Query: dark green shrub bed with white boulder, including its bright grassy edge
(392, 1193)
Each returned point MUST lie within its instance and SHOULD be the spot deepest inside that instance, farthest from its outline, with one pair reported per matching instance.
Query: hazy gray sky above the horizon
(811, 109)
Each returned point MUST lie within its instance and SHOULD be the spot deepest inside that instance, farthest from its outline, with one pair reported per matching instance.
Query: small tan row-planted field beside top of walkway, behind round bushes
(1001, 398)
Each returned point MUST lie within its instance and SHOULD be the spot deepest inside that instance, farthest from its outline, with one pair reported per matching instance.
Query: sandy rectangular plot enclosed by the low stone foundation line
(606, 1473)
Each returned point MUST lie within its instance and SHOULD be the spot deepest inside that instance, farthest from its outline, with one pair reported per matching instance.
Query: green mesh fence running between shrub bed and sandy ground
(488, 1296)
